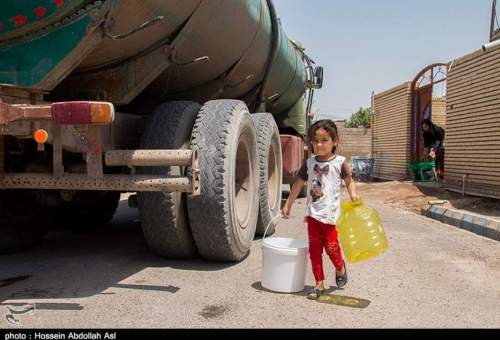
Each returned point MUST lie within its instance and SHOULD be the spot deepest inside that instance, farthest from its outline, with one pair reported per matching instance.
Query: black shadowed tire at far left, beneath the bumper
(23, 222)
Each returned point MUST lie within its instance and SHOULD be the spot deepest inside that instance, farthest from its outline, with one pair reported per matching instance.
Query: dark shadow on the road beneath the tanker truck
(76, 264)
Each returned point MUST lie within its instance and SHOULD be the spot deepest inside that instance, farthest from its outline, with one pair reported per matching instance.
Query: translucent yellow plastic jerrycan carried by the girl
(360, 232)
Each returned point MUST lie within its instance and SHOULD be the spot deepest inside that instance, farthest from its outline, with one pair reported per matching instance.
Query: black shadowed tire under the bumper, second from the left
(89, 209)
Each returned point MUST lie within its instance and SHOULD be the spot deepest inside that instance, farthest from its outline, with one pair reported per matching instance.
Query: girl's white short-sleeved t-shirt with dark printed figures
(324, 187)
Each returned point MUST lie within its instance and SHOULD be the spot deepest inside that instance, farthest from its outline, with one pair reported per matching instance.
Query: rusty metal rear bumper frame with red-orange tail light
(94, 115)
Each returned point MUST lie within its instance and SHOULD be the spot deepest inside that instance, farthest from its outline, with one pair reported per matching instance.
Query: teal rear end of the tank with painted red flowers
(27, 31)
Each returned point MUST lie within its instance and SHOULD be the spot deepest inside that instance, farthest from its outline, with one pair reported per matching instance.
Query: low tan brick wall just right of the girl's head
(354, 142)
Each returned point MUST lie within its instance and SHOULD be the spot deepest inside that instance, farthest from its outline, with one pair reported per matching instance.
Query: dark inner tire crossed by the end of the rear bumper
(163, 214)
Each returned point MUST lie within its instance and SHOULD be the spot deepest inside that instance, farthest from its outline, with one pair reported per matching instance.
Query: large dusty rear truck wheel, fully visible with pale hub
(224, 217)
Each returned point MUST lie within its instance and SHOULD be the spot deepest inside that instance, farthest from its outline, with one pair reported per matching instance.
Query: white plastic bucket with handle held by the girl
(284, 263)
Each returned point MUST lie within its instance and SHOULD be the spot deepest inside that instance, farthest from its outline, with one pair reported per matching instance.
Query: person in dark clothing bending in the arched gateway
(434, 145)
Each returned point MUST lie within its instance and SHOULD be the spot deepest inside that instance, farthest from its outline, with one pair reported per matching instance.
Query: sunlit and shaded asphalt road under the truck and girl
(433, 275)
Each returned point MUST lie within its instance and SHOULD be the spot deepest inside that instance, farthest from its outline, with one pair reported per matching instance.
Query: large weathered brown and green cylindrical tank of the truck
(198, 49)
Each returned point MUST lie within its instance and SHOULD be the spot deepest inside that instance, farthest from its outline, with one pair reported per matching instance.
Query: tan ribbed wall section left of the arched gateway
(392, 132)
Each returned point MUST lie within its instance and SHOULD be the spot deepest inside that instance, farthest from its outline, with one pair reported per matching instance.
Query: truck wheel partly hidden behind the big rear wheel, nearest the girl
(271, 172)
